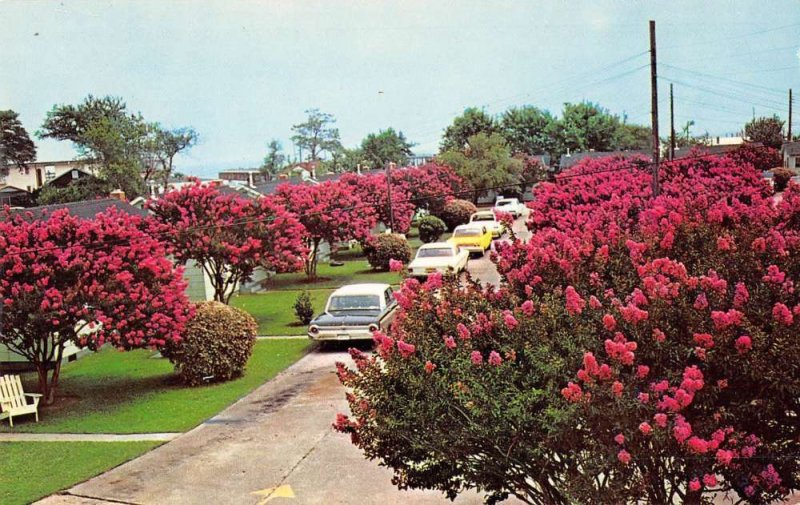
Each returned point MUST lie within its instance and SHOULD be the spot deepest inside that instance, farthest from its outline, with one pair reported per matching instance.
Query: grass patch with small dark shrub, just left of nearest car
(274, 310)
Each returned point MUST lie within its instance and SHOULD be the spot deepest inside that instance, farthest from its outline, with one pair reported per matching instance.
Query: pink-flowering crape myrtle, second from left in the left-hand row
(229, 236)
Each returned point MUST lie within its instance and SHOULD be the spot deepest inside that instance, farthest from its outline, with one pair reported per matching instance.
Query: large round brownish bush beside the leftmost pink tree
(217, 343)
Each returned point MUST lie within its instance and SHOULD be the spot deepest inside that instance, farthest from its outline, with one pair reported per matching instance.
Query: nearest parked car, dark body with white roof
(354, 312)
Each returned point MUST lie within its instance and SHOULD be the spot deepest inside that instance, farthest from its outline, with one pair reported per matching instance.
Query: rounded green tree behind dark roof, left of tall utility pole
(586, 126)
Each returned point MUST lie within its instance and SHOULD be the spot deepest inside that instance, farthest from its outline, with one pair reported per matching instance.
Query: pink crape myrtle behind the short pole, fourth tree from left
(372, 190)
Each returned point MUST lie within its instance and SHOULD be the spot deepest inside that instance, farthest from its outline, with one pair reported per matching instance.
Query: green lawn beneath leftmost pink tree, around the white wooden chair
(132, 392)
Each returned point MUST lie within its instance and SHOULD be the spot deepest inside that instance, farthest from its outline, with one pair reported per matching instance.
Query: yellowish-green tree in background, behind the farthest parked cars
(485, 163)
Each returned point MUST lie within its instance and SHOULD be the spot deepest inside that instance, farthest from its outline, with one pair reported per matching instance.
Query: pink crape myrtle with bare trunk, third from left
(331, 212)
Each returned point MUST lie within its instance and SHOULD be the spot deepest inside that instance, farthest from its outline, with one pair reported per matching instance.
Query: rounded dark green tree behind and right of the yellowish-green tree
(529, 130)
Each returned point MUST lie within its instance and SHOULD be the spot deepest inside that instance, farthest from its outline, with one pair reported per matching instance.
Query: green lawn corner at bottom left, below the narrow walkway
(32, 470)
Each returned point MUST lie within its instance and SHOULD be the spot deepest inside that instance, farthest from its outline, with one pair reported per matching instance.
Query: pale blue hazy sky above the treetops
(243, 72)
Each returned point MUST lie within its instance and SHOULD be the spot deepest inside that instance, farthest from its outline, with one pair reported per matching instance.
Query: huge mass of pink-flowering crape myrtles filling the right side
(640, 350)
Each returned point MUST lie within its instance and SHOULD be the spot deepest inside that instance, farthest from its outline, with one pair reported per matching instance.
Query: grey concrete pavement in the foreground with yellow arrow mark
(277, 442)
